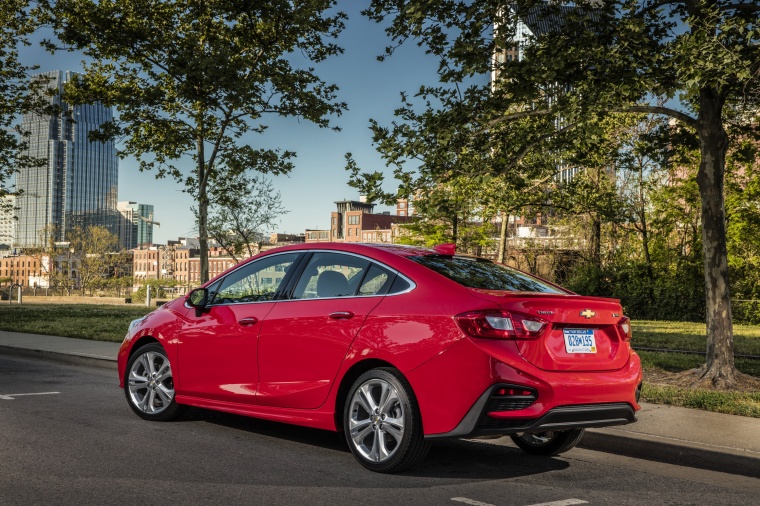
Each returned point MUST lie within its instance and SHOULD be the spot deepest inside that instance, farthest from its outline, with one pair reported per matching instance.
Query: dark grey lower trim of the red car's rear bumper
(478, 422)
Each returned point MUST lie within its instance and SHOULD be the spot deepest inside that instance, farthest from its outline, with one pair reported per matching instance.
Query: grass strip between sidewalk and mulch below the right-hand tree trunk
(734, 403)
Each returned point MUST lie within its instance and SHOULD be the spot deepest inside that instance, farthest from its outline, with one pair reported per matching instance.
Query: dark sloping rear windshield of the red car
(484, 274)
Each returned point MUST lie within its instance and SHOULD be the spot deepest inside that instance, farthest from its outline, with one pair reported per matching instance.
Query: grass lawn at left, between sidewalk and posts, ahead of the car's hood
(84, 321)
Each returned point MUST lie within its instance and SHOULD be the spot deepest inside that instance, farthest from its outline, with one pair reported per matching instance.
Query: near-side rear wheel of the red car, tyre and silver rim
(382, 423)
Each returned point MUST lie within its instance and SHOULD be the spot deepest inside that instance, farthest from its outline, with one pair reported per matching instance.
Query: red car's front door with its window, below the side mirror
(217, 350)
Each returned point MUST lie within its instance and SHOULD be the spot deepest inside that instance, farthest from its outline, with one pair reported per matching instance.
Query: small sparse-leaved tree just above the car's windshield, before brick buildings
(241, 210)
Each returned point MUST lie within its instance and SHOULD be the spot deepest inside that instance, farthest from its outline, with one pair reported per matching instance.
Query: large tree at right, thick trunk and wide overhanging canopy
(600, 58)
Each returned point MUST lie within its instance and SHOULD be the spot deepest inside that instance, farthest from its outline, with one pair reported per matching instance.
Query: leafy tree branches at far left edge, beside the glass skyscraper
(19, 94)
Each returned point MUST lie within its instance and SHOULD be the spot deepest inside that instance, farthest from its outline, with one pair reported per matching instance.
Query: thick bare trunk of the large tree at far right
(719, 369)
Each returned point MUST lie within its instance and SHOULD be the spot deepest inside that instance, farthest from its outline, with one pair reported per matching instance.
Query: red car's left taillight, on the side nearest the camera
(496, 324)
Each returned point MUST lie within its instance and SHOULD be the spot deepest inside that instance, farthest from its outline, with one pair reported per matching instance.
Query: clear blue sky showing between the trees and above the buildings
(371, 90)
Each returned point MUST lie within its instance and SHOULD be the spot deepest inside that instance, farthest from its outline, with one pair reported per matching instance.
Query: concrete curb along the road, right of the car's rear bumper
(672, 451)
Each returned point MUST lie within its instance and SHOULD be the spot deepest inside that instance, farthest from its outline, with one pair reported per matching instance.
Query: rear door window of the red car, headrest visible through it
(331, 275)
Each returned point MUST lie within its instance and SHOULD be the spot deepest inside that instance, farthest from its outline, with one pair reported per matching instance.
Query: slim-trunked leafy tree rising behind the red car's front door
(192, 78)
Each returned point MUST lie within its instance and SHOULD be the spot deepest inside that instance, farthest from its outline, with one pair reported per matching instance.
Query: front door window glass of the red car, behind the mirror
(255, 282)
